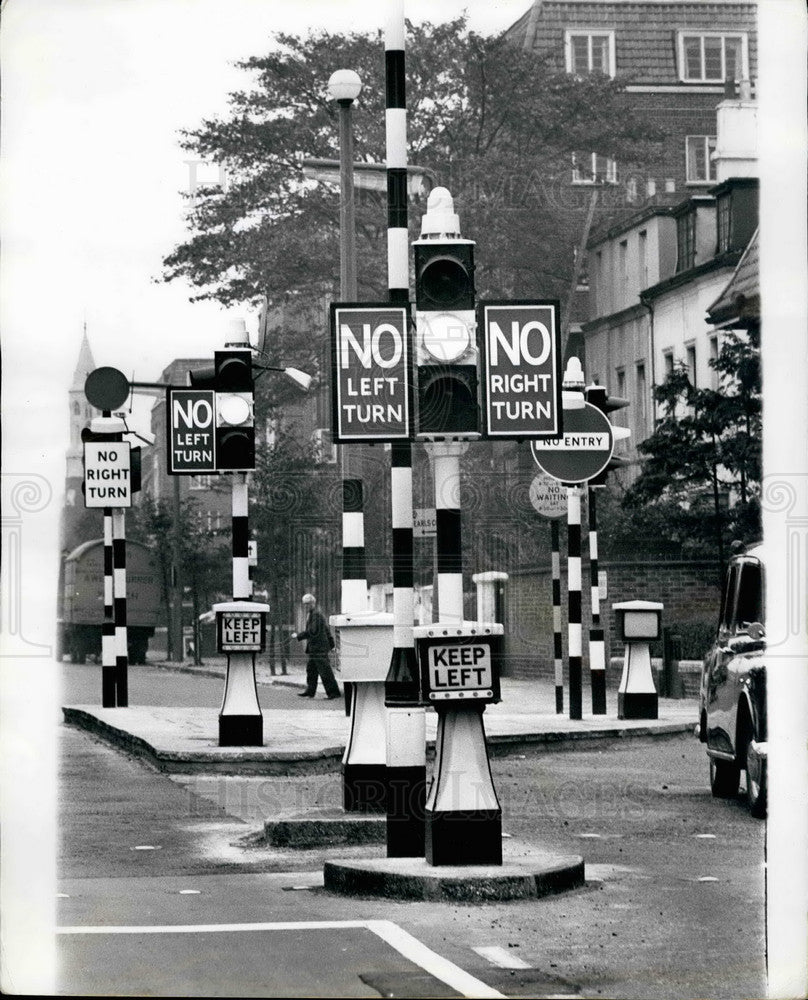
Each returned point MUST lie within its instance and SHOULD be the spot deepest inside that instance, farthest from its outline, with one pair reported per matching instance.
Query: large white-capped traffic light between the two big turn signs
(446, 352)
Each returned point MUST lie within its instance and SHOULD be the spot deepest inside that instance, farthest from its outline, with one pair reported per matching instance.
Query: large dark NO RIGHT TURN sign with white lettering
(521, 369)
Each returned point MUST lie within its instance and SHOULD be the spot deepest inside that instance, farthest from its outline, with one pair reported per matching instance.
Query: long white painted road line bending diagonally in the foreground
(403, 942)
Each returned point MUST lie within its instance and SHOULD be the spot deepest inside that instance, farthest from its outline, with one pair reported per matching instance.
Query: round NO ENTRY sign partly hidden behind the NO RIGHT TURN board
(582, 452)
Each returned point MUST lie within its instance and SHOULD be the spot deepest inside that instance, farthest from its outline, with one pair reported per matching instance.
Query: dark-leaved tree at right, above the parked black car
(701, 476)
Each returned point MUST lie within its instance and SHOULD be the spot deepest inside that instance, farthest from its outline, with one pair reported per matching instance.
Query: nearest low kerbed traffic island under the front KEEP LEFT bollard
(524, 874)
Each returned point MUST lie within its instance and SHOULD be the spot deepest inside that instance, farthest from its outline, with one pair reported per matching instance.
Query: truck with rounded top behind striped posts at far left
(83, 600)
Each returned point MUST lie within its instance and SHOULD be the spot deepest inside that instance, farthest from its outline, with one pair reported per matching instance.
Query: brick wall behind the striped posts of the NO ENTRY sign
(689, 591)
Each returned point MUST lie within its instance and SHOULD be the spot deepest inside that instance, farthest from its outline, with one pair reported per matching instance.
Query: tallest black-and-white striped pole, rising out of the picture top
(406, 719)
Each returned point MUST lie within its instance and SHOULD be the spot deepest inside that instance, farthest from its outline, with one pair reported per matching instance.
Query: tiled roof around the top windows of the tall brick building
(646, 31)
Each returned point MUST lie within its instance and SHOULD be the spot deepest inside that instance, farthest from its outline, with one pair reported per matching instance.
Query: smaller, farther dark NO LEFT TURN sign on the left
(191, 424)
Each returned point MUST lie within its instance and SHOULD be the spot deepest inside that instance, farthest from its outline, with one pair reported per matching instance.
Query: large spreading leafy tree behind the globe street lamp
(493, 123)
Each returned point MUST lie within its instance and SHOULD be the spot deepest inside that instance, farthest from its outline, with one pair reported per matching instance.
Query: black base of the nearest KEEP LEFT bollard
(473, 837)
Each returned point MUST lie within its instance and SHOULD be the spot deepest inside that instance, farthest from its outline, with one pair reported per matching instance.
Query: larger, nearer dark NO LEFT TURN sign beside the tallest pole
(371, 376)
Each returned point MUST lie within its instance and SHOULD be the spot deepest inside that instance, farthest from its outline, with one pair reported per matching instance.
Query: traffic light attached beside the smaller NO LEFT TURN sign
(232, 381)
